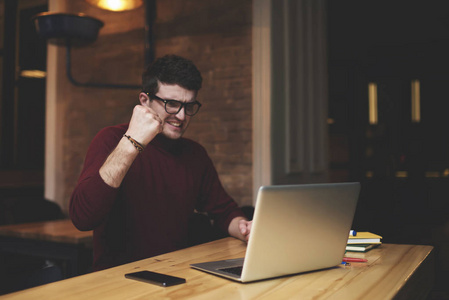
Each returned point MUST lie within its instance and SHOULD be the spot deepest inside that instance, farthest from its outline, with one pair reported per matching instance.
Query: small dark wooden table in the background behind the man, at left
(50, 239)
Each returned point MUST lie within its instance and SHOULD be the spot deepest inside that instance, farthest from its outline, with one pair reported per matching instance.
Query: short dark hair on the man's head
(171, 69)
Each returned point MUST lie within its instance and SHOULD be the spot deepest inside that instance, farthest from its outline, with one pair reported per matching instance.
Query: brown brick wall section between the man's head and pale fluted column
(216, 35)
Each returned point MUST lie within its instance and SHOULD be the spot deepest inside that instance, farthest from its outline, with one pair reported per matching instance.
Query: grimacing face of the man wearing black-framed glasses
(174, 124)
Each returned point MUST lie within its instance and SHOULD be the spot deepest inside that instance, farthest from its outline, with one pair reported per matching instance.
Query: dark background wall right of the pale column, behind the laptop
(403, 166)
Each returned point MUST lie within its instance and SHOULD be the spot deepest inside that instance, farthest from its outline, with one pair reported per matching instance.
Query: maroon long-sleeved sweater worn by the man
(148, 214)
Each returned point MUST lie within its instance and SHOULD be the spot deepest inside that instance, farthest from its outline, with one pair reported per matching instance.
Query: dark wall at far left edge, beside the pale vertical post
(22, 101)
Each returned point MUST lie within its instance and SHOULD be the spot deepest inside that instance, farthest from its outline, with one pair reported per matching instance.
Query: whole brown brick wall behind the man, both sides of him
(216, 35)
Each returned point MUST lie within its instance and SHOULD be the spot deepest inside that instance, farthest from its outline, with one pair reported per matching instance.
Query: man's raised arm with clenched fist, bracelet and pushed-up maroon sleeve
(105, 168)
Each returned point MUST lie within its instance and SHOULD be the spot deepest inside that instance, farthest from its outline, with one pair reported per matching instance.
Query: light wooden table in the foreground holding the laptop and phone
(392, 271)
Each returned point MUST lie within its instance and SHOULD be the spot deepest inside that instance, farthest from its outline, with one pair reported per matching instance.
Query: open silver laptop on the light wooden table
(296, 229)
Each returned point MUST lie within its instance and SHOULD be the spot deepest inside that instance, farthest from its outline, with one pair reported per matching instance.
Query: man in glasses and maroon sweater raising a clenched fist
(142, 181)
